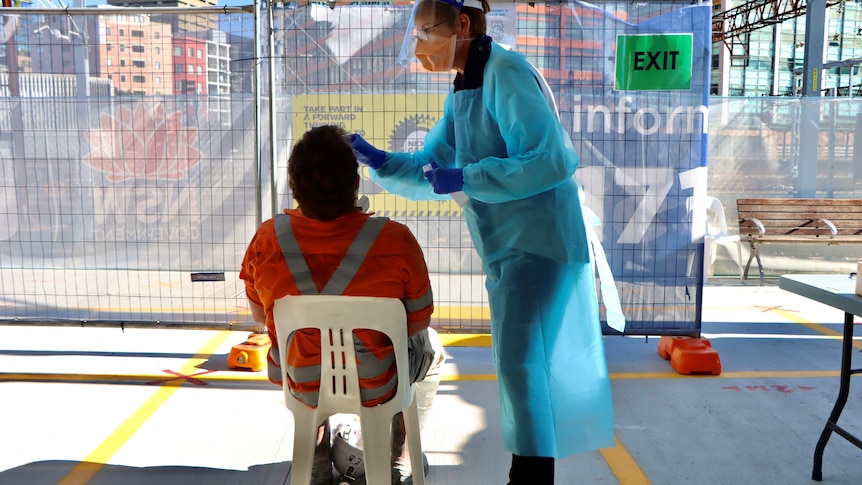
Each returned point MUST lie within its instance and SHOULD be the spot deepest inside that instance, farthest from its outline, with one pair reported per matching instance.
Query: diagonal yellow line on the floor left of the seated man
(91, 465)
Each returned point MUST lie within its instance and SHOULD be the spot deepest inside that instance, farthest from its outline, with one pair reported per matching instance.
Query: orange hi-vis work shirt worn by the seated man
(393, 267)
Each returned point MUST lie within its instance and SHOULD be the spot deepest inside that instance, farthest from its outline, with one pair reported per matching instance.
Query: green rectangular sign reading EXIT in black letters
(652, 62)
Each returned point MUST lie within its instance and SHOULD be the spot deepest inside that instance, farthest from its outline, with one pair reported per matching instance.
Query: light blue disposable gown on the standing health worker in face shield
(525, 219)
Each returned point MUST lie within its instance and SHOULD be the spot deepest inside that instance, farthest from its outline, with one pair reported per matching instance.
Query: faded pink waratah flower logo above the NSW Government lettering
(146, 143)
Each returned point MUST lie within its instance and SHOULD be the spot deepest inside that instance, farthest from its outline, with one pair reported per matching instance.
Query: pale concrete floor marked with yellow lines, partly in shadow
(141, 406)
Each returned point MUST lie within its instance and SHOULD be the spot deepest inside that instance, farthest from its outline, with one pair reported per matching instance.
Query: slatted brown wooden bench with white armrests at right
(796, 221)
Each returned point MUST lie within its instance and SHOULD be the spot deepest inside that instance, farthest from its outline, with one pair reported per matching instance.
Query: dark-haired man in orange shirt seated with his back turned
(305, 251)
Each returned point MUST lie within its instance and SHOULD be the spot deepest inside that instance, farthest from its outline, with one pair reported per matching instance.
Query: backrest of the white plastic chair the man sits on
(337, 317)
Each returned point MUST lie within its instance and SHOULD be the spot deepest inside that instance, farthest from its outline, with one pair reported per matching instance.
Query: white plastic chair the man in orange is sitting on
(338, 317)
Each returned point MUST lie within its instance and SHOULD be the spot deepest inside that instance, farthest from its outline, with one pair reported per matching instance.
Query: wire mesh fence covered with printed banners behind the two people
(140, 149)
